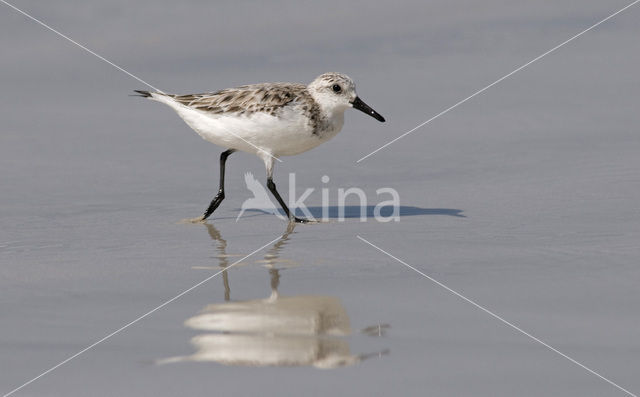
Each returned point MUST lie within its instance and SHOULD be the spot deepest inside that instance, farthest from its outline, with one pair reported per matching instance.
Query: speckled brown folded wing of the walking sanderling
(267, 97)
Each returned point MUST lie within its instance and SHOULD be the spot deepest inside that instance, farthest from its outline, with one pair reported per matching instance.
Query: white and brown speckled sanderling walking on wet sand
(269, 120)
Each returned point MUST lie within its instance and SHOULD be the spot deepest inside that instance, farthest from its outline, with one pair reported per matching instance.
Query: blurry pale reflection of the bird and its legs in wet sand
(303, 330)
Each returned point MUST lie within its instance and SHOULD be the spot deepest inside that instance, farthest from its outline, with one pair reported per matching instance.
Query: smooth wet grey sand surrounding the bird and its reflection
(544, 167)
